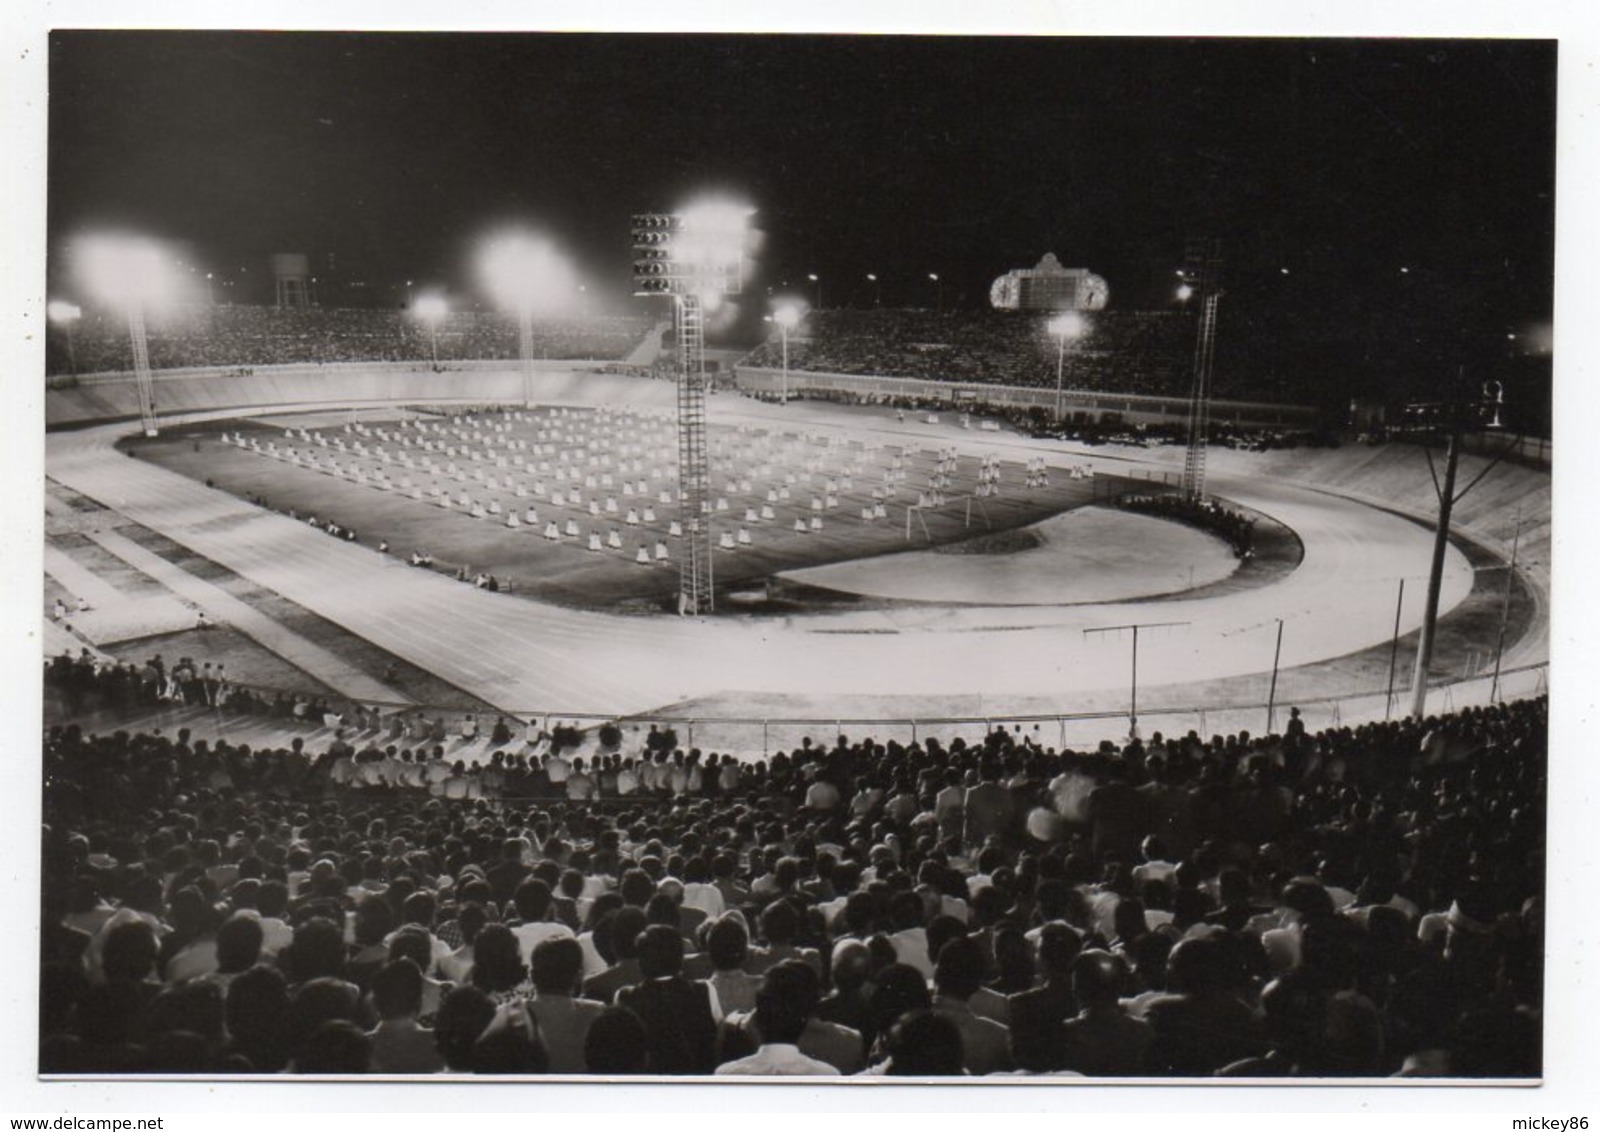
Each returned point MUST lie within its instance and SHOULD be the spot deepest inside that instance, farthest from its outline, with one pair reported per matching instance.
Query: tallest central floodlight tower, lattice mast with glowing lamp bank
(695, 257)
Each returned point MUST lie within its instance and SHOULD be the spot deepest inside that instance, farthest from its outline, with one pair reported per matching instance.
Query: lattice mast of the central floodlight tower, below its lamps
(695, 564)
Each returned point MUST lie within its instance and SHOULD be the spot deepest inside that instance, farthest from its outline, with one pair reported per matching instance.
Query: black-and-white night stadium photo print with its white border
(692, 556)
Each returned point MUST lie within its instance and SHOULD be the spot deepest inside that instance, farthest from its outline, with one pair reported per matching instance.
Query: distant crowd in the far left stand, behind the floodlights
(270, 337)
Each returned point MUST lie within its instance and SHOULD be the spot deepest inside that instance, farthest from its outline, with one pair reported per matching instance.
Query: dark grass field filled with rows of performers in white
(575, 466)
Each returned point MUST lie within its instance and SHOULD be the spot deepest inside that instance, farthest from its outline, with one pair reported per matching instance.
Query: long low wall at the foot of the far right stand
(1098, 405)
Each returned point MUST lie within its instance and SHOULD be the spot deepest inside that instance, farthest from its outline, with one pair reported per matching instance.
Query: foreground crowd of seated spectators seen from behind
(1358, 903)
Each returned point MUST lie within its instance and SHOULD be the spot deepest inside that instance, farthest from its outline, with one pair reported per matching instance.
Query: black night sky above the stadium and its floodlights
(1342, 162)
